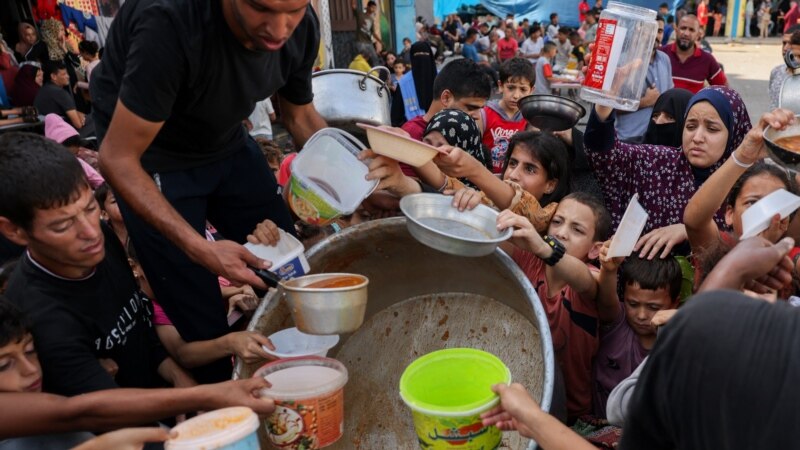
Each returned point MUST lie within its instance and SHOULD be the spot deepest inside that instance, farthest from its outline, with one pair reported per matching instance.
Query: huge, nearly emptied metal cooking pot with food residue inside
(420, 300)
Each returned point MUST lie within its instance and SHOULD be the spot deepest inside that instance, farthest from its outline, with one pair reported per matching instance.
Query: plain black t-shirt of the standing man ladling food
(178, 62)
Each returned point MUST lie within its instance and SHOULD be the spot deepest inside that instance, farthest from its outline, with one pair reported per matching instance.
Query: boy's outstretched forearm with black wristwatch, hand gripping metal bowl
(570, 269)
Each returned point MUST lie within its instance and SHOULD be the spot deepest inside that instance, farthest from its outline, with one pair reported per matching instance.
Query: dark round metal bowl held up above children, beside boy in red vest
(551, 112)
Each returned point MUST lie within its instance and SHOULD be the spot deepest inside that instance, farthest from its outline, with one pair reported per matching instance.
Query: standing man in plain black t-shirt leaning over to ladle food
(176, 80)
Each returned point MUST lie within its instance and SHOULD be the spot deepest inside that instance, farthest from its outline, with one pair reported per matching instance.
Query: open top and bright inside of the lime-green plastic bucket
(453, 382)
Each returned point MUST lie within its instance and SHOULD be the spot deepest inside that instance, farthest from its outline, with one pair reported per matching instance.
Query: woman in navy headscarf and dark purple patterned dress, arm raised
(665, 178)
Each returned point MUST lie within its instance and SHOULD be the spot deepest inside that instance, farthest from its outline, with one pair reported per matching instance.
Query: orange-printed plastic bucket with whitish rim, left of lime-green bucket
(309, 402)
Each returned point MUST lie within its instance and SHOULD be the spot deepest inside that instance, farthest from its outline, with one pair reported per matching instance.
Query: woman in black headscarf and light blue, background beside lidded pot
(415, 90)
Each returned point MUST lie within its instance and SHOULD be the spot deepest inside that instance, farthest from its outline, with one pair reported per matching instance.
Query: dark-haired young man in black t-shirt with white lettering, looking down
(74, 282)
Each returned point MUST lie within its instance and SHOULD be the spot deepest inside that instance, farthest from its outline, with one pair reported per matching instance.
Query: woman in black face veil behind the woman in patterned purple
(669, 115)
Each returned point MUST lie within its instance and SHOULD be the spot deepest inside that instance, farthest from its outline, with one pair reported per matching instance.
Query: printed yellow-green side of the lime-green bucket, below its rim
(464, 433)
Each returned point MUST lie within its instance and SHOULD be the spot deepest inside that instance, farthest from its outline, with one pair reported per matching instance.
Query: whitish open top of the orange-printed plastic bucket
(302, 378)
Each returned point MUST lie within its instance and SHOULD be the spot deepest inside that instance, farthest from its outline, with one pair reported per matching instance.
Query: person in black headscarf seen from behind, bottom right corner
(723, 375)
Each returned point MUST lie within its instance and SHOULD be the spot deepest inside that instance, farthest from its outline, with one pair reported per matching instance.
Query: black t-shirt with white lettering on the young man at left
(75, 322)
